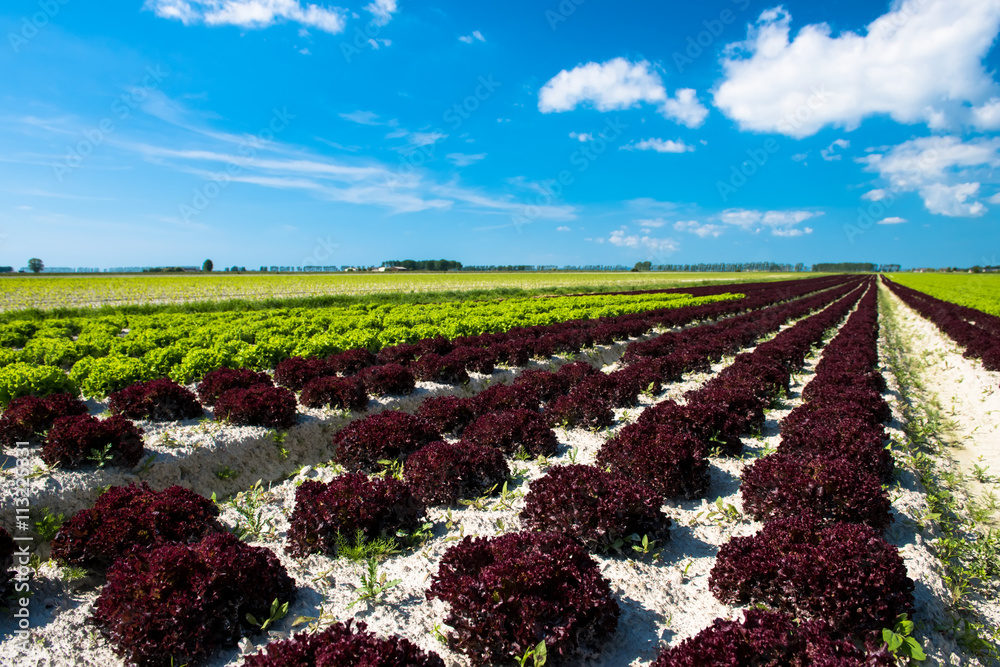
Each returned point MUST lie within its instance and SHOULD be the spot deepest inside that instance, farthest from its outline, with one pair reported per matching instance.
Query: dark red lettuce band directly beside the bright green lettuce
(247, 397)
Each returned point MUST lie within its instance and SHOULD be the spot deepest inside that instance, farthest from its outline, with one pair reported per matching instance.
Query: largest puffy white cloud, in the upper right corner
(920, 62)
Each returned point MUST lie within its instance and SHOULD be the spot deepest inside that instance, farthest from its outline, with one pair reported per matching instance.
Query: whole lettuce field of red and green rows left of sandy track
(661, 479)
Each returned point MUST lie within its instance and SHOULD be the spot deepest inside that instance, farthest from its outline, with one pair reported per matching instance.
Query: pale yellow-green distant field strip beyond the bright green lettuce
(48, 292)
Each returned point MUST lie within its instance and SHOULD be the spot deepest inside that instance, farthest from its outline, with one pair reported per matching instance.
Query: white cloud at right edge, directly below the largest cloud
(944, 170)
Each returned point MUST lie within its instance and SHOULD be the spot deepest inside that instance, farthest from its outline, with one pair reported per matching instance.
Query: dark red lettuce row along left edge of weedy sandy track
(820, 557)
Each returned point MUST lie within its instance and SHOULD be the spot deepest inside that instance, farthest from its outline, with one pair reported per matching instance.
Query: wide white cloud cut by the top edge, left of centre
(249, 13)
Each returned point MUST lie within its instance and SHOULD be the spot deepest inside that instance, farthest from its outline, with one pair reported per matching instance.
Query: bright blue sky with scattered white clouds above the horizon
(576, 132)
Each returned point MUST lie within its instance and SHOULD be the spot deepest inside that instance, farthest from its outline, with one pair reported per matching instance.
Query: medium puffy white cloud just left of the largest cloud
(619, 84)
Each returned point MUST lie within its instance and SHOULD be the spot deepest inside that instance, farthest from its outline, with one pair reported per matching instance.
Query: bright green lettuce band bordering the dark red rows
(106, 354)
